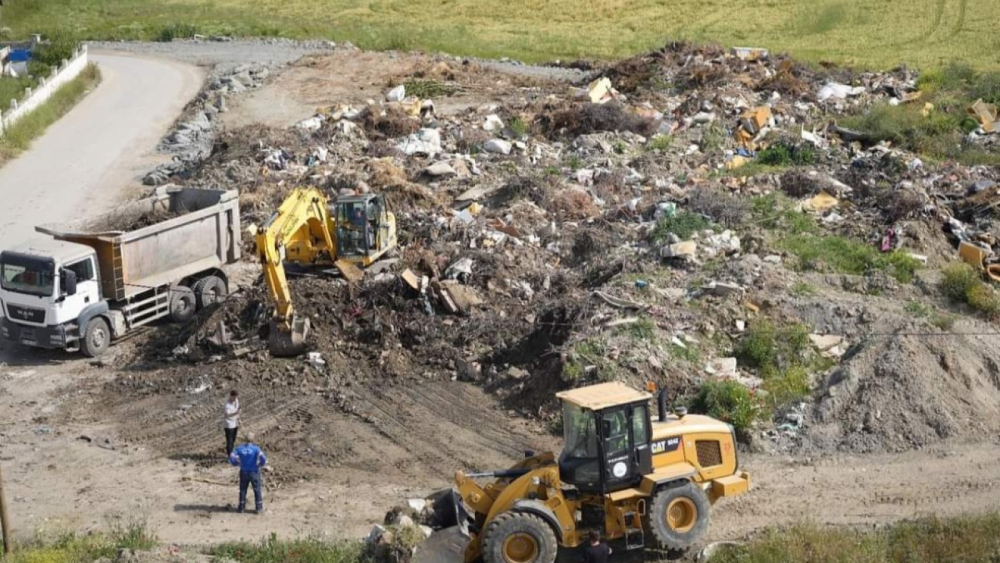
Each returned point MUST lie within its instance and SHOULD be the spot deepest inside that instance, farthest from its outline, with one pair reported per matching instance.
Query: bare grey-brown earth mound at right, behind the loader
(899, 393)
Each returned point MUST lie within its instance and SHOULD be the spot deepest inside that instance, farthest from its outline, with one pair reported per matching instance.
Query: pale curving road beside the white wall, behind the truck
(90, 156)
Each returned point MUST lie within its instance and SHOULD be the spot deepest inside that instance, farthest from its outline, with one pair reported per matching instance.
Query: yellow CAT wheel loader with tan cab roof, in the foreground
(620, 473)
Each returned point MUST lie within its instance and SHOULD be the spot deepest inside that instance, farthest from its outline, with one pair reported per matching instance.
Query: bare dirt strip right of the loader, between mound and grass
(863, 489)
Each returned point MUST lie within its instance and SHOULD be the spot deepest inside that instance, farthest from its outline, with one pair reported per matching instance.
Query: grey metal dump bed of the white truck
(162, 239)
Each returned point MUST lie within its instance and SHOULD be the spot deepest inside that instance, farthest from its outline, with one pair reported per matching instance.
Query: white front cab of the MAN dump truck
(49, 292)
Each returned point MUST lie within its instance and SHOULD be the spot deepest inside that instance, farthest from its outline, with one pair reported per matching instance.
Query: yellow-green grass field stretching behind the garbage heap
(869, 33)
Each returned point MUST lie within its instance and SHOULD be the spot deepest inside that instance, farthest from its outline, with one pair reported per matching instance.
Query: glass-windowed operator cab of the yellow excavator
(365, 228)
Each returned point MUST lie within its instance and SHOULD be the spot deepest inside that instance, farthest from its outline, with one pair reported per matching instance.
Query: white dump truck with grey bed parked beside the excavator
(93, 281)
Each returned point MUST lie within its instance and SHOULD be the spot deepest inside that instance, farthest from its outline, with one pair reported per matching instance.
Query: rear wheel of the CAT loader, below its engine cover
(679, 516)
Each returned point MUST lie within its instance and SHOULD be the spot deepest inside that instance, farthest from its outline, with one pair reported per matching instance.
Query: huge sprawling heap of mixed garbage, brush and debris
(559, 234)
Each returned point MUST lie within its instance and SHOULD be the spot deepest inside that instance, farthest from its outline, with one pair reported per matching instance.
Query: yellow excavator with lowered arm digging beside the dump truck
(308, 230)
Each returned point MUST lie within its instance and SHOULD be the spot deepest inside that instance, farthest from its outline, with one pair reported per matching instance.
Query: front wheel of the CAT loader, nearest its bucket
(515, 537)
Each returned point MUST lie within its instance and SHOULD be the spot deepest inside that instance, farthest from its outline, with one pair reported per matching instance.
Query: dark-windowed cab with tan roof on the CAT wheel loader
(606, 438)
